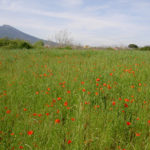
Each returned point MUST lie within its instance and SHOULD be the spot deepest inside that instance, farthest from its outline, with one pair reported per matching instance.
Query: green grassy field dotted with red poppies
(74, 100)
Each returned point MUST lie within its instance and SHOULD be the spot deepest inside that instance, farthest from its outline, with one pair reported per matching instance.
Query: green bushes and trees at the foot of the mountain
(19, 44)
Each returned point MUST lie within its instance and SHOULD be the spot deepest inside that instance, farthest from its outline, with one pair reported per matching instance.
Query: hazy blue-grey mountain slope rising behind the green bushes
(13, 33)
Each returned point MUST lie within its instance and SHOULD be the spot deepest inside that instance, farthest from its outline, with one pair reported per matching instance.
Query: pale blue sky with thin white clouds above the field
(88, 22)
